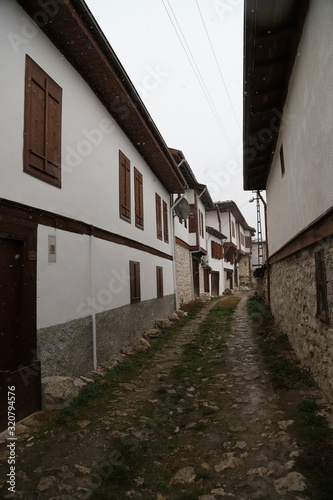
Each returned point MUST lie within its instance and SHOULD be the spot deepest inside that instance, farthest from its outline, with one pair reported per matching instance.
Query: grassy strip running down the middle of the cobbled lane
(148, 462)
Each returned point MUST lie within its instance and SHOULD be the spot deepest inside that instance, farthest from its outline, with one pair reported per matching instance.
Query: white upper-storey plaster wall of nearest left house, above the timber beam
(90, 141)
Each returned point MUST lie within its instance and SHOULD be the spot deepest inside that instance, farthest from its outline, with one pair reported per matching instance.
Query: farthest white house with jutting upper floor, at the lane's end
(237, 247)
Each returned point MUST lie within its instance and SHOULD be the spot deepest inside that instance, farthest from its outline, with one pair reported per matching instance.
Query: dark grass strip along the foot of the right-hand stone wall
(310, 425)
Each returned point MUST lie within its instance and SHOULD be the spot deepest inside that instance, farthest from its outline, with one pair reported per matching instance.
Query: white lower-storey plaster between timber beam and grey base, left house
(64, 290)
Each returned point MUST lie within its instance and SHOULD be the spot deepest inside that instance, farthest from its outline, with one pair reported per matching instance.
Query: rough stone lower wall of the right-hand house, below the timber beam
(294, 305)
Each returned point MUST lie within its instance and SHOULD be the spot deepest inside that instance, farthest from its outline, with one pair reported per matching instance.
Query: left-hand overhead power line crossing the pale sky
(199, 76)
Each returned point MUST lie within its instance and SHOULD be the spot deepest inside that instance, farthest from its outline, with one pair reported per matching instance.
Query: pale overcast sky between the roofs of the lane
(185, 58)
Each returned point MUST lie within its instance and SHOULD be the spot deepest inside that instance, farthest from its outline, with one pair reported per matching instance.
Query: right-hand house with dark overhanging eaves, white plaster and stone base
(288, 127)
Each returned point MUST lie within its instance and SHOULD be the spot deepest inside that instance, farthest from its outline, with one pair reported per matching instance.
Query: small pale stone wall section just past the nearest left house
(184, 275)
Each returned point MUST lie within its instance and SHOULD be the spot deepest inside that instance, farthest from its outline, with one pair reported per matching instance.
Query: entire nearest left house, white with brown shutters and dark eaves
(86, 242)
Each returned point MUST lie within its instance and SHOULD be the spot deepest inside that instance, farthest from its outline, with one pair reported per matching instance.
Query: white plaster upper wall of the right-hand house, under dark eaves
(304, 192)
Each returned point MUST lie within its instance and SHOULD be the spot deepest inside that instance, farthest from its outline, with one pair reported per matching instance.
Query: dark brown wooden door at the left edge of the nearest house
(18, 346)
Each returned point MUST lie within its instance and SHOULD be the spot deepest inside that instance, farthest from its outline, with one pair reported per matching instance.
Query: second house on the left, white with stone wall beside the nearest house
(192, 273)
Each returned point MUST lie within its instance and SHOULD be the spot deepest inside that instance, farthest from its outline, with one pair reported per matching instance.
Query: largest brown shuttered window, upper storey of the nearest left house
(42, 125)
